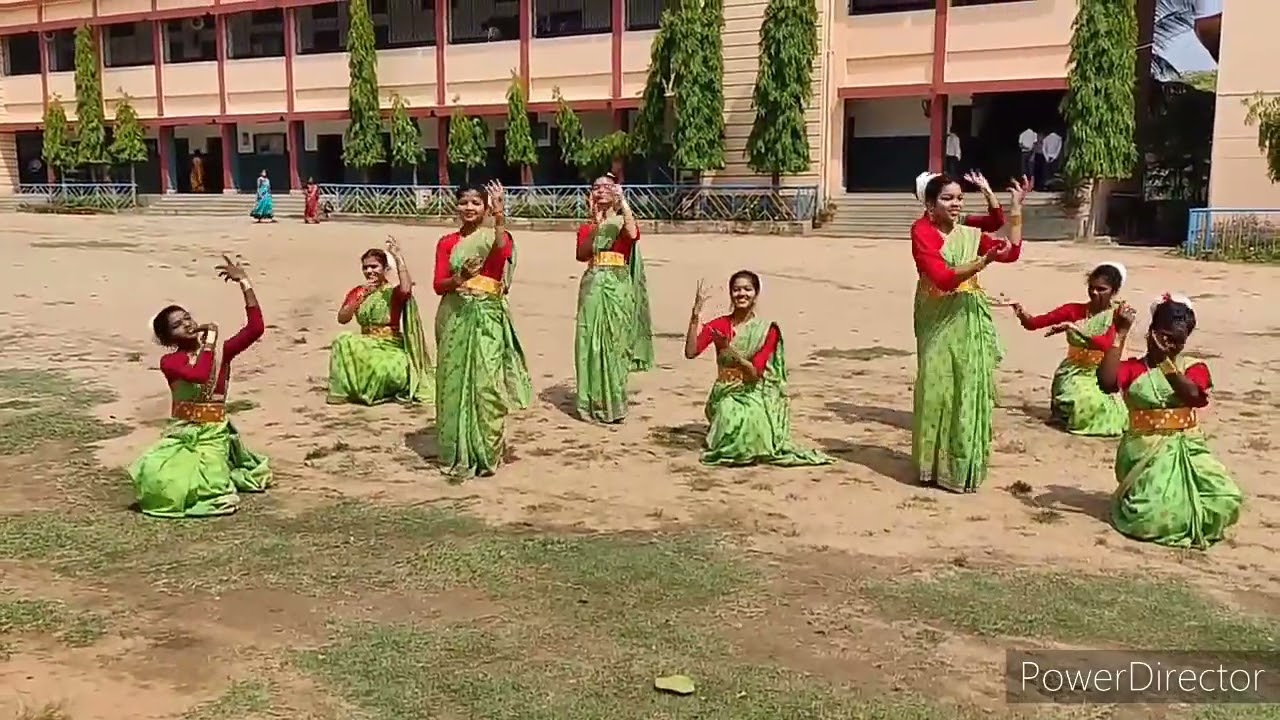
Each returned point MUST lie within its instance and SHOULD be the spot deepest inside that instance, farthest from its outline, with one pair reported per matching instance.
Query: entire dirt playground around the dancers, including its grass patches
(602, 558)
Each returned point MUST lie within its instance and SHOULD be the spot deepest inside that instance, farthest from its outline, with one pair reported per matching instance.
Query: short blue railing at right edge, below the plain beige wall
(1251, 235)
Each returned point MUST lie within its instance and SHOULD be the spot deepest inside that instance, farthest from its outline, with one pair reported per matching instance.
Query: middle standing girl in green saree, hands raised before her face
(615, 334)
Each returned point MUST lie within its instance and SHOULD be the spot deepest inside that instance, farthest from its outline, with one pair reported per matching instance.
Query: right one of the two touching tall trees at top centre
(698, 60)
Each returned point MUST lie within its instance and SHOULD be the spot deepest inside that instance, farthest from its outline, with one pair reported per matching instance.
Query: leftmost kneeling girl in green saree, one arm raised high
(202, 464)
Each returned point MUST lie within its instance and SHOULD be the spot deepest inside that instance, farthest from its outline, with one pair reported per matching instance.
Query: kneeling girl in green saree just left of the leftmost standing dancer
(388, 361)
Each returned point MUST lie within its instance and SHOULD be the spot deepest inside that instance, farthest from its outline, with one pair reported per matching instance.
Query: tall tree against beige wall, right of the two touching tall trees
(784, 90)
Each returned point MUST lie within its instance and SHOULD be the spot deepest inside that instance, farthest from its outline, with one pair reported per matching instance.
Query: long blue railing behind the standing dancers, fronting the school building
(570, 202)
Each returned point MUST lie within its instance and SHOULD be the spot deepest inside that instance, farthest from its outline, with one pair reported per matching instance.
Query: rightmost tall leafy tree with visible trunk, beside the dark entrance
(1099, 107)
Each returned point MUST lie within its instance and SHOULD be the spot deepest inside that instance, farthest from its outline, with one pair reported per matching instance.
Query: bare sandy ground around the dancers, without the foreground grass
(84, 290)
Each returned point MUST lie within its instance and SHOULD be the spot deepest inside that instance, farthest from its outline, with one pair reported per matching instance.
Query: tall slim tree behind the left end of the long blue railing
(363, 143)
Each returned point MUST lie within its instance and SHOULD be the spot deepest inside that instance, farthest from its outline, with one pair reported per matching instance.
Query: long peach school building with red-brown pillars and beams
(258, 85)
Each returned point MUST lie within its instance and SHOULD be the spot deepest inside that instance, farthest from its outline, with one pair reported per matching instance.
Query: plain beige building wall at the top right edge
(1238, 172)
